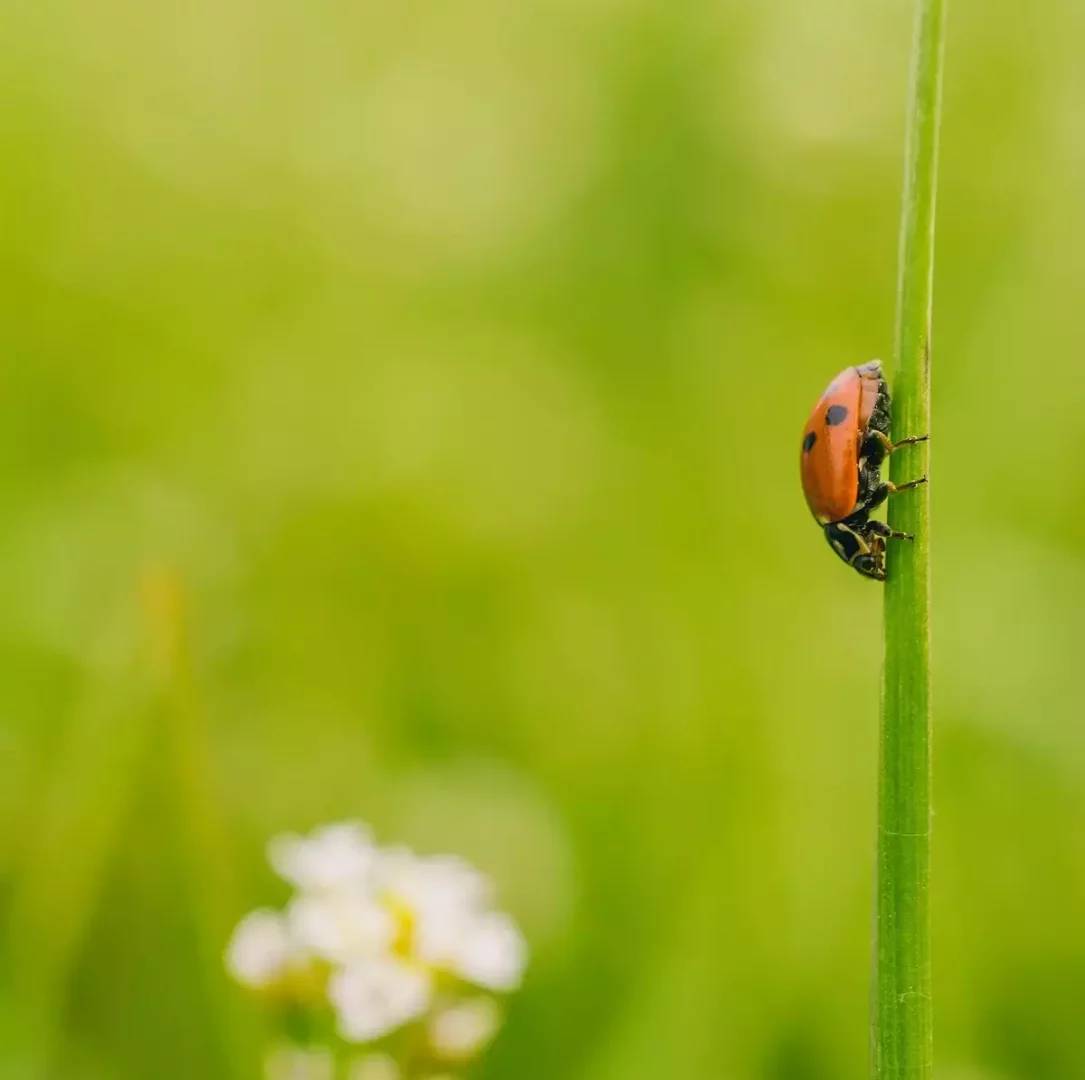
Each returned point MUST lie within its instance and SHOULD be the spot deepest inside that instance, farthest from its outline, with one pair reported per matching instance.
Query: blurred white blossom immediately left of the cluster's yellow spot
(342, 926)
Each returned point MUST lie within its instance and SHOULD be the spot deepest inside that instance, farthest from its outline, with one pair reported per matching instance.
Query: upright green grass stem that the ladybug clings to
(902, 1044)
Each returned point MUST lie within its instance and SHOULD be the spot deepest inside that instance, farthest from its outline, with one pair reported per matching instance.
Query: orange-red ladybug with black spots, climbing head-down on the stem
(846, 442)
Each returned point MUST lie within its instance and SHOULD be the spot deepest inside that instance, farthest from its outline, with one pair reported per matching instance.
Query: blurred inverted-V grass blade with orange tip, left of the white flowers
(75, 831)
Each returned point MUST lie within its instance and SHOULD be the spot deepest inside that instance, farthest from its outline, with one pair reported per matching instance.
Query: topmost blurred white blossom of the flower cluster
(329, 858)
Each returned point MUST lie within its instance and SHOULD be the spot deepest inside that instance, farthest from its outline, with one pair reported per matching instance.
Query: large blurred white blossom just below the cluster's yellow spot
(375, 997)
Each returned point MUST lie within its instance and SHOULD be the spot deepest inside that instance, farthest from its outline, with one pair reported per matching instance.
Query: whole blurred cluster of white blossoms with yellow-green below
(384, 962)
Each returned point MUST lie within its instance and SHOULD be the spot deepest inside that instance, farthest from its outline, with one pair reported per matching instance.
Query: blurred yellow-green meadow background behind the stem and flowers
(401, 421)
